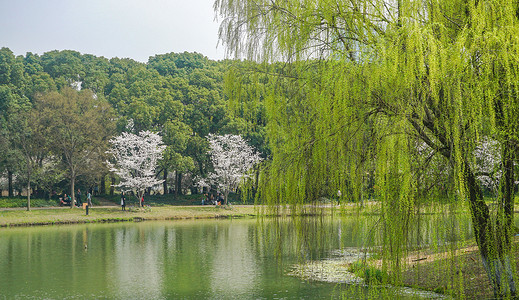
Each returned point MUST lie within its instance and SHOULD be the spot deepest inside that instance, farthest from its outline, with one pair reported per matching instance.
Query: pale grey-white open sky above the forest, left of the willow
(134, 29)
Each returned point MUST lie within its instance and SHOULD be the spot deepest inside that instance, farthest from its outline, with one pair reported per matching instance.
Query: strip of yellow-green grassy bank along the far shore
(114, 214)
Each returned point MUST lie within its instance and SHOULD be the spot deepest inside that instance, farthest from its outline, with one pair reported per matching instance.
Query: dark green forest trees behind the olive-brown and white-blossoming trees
(178, 94)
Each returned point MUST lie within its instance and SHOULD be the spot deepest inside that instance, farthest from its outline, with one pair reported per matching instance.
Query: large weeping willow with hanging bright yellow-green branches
(370, 87)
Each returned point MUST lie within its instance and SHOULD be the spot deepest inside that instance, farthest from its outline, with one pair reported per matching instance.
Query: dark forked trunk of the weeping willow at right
(493, 237)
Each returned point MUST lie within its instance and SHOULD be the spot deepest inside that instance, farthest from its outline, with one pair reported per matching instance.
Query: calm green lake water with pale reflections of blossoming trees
(196, 259)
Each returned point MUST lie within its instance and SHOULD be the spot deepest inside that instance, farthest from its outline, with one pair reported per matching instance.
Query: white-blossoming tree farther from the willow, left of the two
(136, 157)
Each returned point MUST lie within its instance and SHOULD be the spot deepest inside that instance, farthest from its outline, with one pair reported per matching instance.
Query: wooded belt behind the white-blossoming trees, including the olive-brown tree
(59, 110)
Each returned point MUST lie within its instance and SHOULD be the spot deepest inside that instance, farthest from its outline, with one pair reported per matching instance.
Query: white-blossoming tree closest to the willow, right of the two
(232, 160)
